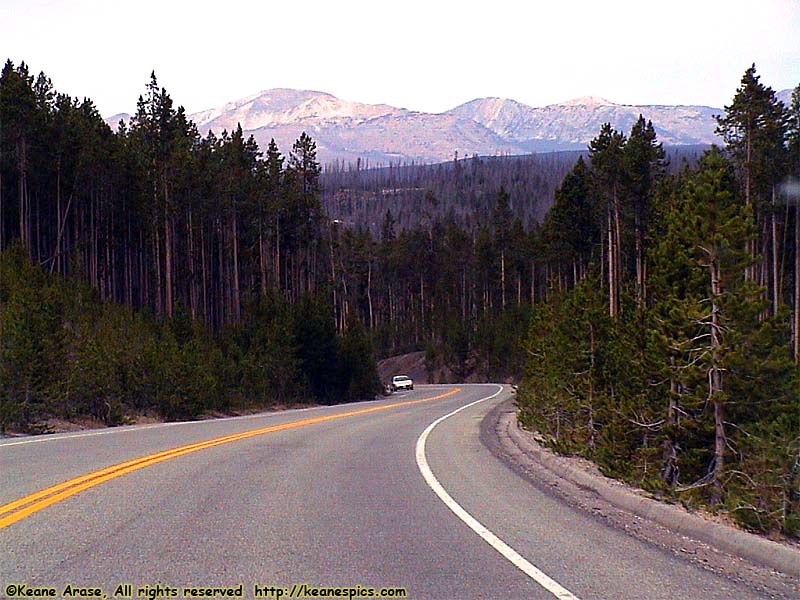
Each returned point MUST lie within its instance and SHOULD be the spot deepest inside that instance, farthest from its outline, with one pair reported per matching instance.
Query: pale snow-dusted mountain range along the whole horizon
(345, 130)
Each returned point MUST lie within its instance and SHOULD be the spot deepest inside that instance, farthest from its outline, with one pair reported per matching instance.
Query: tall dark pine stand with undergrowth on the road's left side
(150, 269)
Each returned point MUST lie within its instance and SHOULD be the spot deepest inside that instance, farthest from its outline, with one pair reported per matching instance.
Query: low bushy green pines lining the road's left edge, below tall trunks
(67, 353)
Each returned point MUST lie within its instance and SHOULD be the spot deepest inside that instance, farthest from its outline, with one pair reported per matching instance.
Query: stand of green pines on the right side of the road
(671, 355)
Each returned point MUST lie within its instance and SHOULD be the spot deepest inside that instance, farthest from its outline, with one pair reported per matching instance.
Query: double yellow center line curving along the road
(19, 509)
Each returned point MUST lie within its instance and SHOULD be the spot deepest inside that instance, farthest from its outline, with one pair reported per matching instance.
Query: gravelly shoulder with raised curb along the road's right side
(769, 566)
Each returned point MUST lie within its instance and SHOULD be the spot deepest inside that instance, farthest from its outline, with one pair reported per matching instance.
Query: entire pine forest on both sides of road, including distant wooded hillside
(649, 307)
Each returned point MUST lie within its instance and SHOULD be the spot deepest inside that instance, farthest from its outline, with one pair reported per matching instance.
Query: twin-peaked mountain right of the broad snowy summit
(572, 124)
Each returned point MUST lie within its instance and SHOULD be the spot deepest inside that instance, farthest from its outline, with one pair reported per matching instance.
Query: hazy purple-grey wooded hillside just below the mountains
(465, 189)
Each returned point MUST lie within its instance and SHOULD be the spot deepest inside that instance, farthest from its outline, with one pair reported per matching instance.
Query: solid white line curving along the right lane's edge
(507, 551)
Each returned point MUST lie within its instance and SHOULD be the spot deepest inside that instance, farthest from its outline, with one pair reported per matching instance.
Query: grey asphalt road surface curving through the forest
(337, 502)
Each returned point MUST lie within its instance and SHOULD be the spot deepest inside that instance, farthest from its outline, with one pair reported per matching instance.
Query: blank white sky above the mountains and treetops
(428, 55)
